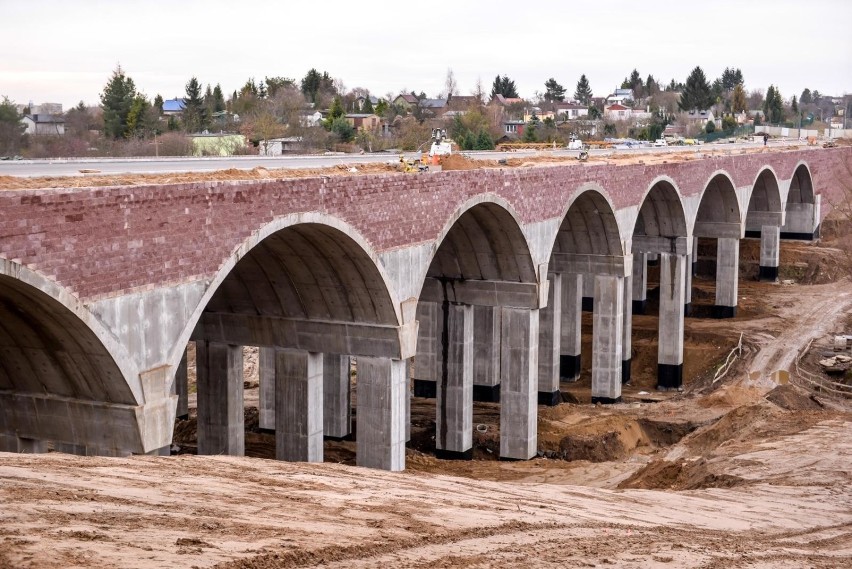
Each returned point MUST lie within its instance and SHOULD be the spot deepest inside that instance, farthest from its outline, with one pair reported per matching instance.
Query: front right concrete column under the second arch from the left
(382, 386)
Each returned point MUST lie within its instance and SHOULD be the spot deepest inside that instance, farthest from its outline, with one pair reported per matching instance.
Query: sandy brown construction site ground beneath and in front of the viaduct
(736, 472)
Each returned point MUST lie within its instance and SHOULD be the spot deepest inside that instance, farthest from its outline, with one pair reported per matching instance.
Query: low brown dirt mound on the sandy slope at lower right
(682, 474)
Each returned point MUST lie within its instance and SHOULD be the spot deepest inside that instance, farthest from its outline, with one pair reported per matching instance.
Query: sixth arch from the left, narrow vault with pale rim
(719, 210)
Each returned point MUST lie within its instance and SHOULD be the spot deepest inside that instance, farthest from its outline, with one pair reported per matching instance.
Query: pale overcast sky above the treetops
(65, 50)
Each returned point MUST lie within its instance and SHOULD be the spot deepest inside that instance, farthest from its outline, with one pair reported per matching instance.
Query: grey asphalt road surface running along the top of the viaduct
(72, 166)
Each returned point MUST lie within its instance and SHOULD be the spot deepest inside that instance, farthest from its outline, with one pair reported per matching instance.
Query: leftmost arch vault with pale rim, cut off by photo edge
(53, 346)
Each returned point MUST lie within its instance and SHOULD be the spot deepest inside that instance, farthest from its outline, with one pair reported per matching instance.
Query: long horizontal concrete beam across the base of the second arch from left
(323, 336)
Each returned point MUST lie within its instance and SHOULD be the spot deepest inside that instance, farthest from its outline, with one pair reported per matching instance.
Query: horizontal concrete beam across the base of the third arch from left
(483, 293)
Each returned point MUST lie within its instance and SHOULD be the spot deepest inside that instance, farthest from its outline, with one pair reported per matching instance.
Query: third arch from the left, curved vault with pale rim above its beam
(489, 229)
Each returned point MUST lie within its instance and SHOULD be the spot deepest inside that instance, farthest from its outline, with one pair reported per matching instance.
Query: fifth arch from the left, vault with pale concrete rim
(661, 213)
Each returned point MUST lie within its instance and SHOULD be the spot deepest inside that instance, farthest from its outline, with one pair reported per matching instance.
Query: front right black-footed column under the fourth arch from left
(607, 339)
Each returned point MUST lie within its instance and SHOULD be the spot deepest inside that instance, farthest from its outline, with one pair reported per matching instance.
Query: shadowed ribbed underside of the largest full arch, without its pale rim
(307, 271)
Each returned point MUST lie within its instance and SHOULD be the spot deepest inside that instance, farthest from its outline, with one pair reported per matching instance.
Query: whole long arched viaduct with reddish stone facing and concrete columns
(480, 274)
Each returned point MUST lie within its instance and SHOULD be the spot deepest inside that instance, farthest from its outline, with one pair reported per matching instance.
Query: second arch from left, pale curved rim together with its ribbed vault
(308, 266)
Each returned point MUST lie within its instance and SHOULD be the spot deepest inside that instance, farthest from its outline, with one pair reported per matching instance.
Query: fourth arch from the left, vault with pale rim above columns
(588, 224)
